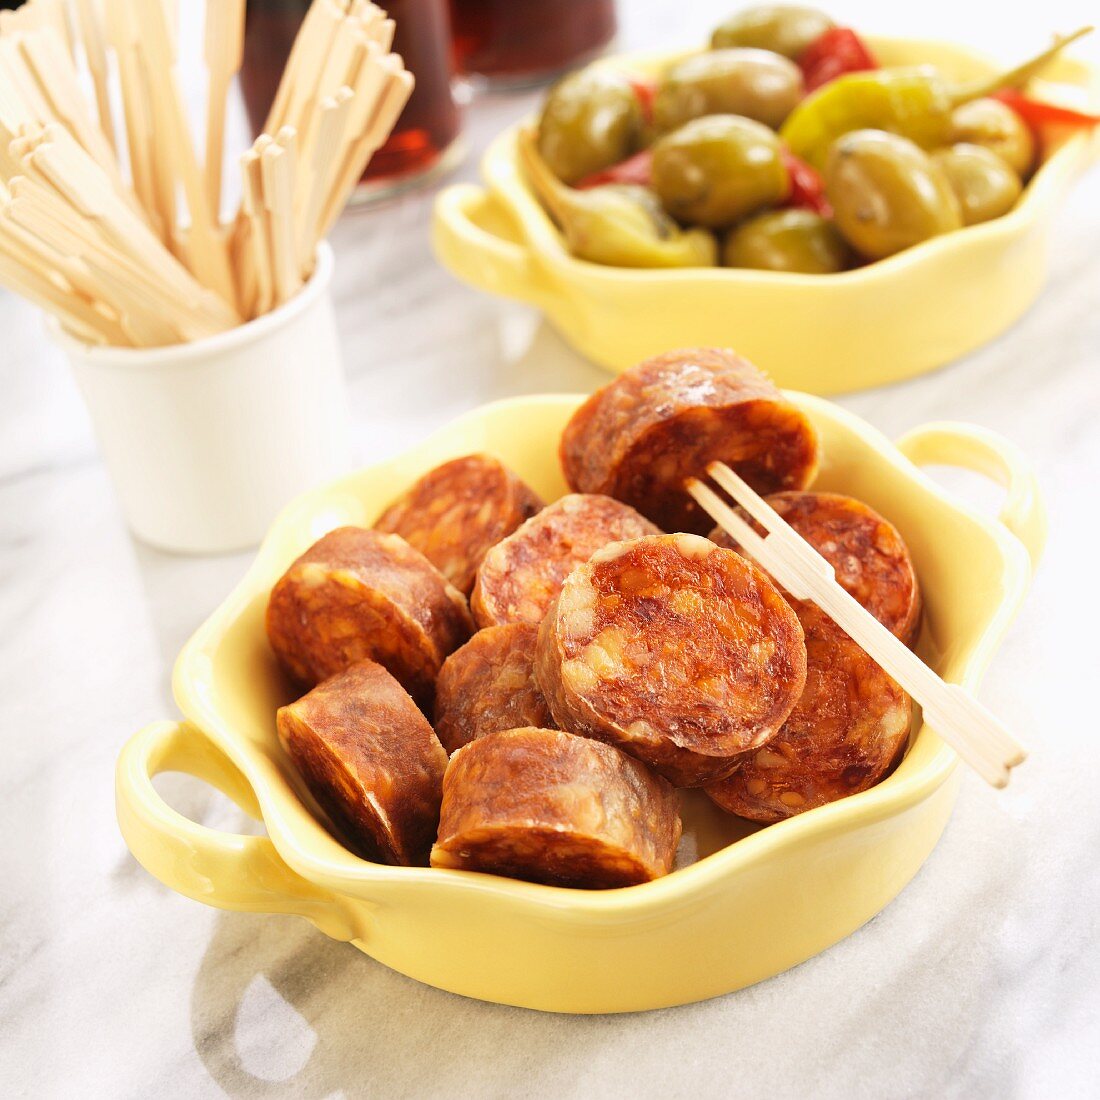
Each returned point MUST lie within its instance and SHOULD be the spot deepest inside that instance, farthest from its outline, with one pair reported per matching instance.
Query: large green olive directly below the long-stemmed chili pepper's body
(887, 193)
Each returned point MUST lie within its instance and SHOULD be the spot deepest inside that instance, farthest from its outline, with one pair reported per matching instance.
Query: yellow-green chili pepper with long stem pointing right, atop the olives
(916, 103)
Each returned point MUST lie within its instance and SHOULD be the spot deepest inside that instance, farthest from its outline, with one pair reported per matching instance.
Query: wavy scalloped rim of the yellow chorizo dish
(348, 874)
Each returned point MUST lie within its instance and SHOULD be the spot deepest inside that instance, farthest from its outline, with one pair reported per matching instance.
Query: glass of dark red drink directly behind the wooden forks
(431, 122)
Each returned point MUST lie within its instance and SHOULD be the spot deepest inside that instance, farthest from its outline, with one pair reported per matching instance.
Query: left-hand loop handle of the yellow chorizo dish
(229, 871)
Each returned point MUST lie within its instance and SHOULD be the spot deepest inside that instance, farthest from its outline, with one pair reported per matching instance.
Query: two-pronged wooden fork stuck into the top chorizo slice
(980, 738)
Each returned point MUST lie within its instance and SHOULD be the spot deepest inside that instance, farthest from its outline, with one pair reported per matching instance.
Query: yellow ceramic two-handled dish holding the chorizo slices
(735, 914)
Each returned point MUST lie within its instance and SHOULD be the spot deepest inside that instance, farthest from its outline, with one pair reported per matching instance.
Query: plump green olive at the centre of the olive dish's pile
(717, 170)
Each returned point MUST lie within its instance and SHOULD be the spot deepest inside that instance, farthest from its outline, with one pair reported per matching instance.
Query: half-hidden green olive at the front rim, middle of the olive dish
(787, 241)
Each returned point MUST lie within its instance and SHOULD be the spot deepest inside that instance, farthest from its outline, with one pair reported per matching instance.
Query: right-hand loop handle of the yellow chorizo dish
(951, 444)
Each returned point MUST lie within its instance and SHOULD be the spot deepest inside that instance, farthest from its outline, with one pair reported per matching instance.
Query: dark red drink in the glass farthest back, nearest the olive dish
(518, 40)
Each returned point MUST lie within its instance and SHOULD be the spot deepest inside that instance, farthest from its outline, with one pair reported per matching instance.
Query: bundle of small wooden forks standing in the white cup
(116, 227)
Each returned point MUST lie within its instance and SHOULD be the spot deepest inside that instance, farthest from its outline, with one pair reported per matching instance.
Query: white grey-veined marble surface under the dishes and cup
(983, 980)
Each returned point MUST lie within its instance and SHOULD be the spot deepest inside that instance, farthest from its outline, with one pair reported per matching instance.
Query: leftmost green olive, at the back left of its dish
(591, 120)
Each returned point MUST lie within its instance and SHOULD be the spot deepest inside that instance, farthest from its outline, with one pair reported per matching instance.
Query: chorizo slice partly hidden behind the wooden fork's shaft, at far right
(868, 555)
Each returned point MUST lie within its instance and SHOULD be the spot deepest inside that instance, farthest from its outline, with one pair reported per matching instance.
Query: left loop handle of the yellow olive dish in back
(465, 241)
